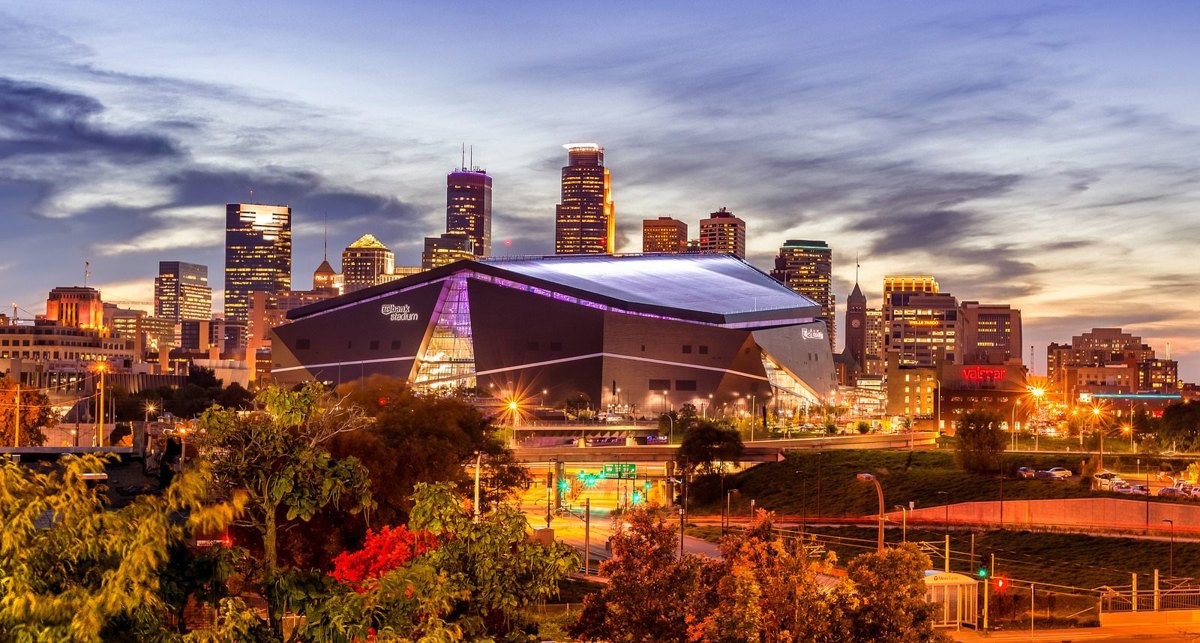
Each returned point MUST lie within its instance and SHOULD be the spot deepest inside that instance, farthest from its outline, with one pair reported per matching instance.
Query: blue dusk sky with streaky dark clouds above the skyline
(1035, 154)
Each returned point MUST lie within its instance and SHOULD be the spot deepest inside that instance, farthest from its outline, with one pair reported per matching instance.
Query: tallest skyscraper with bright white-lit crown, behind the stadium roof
(585, 223)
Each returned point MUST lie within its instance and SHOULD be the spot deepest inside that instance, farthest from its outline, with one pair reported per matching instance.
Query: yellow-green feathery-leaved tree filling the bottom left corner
(73, 570)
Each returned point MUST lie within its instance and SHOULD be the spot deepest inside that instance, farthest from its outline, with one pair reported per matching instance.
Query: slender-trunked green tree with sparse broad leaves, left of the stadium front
(277, 458)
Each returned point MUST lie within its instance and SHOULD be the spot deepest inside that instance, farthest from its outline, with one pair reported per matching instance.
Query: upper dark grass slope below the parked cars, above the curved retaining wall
(825, 484)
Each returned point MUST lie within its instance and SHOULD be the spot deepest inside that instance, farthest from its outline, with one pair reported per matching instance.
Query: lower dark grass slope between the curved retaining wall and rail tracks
(1064, 560)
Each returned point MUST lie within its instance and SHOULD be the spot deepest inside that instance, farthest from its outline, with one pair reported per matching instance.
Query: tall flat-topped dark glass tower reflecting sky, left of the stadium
(259, 255)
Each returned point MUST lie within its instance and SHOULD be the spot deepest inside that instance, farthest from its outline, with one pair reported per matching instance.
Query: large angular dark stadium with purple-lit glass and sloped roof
(645, 333)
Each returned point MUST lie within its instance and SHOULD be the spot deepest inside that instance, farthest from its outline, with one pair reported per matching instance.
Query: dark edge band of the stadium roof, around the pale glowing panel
(494, 269)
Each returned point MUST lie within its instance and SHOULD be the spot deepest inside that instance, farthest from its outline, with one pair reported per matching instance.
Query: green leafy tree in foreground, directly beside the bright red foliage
(473, 586)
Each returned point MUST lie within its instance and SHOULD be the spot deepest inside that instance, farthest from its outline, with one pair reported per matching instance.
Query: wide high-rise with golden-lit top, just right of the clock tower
(921, 324)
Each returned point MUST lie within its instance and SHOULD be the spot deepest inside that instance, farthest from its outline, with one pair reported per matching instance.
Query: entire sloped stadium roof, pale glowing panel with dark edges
(710, 289)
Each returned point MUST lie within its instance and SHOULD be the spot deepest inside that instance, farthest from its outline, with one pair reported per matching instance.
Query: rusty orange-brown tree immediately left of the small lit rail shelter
(891, 604)
